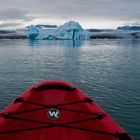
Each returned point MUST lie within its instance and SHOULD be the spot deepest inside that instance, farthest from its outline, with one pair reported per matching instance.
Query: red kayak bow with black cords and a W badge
(57, 110)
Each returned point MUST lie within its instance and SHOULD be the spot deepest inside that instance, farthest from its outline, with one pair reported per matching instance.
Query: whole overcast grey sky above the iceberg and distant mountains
(89, 13)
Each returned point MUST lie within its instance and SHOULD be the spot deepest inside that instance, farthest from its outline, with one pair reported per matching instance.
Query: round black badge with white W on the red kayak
(53, 113)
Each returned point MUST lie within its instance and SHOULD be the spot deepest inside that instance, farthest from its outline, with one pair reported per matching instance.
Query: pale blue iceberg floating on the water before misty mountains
(69, 31)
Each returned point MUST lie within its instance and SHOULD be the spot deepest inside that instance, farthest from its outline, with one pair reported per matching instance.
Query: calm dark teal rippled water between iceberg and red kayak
(107, 70)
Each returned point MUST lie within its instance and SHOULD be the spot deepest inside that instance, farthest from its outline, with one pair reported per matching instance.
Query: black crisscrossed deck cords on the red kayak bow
(12, 115)
